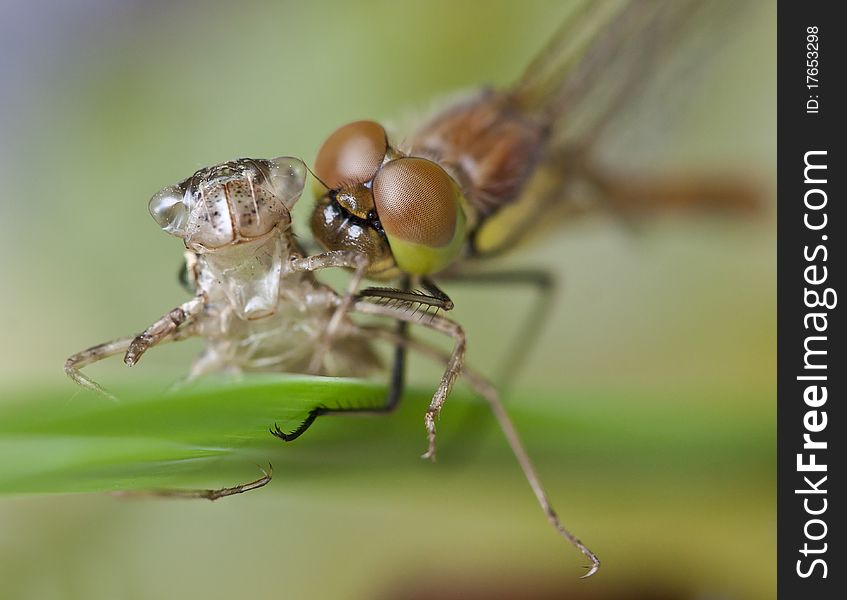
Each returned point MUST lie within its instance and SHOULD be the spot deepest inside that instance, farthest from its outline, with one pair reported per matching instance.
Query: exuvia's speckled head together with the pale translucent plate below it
(227, 214)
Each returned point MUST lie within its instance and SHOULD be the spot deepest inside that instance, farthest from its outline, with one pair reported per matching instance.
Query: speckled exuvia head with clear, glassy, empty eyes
(230, 203)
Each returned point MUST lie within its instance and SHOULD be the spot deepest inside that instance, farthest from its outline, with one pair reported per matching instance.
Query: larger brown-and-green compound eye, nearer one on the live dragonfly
(420, 208)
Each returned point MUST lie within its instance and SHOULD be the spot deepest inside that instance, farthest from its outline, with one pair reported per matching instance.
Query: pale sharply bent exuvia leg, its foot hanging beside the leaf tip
(454, 364)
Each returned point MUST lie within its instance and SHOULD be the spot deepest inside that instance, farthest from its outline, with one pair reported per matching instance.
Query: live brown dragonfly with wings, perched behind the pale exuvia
(497, 166)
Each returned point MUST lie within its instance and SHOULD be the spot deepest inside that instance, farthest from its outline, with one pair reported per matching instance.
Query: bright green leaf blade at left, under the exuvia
(58, 443)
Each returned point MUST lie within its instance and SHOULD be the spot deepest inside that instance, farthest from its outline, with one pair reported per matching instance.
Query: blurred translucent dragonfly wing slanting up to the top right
(608, 51)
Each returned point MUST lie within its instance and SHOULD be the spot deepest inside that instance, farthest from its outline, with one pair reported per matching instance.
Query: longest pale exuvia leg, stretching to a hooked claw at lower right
(482, 387)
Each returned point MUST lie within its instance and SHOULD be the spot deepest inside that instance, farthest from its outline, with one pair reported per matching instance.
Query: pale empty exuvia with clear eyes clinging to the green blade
(260, 308)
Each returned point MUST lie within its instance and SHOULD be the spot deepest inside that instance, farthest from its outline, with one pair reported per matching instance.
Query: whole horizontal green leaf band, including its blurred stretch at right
(212, 434)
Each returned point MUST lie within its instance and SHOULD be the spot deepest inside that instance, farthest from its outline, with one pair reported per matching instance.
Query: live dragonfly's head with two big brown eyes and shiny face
(405, 213)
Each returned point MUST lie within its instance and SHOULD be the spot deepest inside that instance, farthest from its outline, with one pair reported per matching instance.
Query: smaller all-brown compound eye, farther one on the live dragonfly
(351, 154)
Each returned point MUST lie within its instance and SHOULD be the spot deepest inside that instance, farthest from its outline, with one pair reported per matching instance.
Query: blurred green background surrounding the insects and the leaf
(656, 367)
